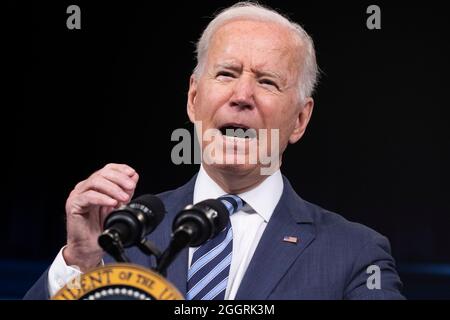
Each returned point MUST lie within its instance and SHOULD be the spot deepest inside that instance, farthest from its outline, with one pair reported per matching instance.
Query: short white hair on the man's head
(308, 73)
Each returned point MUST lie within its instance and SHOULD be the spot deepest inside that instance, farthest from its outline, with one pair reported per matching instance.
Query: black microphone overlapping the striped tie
(193, 226)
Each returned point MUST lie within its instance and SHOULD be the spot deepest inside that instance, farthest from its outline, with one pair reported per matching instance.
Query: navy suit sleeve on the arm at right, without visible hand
(374, 276)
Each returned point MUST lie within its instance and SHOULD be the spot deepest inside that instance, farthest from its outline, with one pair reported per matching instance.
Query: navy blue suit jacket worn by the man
(329, 261)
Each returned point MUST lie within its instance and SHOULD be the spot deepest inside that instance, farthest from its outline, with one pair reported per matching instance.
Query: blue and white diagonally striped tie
(210, 266)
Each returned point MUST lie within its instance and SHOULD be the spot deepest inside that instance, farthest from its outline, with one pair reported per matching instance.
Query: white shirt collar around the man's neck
(263, 198)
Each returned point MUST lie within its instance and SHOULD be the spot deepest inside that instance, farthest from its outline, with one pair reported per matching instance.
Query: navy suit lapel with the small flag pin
(273, 256)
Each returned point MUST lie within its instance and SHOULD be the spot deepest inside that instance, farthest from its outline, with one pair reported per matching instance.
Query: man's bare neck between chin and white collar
(234, 180)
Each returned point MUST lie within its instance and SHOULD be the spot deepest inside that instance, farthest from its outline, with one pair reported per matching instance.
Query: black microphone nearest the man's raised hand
(128, 225)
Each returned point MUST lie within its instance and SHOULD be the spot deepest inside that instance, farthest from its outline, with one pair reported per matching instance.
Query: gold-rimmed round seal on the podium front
(120, 281)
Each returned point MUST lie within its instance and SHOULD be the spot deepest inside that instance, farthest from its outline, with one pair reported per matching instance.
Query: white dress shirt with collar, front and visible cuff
(248, 226)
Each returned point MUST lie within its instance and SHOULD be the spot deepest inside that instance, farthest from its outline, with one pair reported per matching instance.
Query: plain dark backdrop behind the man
(376, 150)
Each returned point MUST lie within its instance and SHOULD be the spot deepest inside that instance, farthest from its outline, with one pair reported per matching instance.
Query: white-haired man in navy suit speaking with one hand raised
(255, 70)
